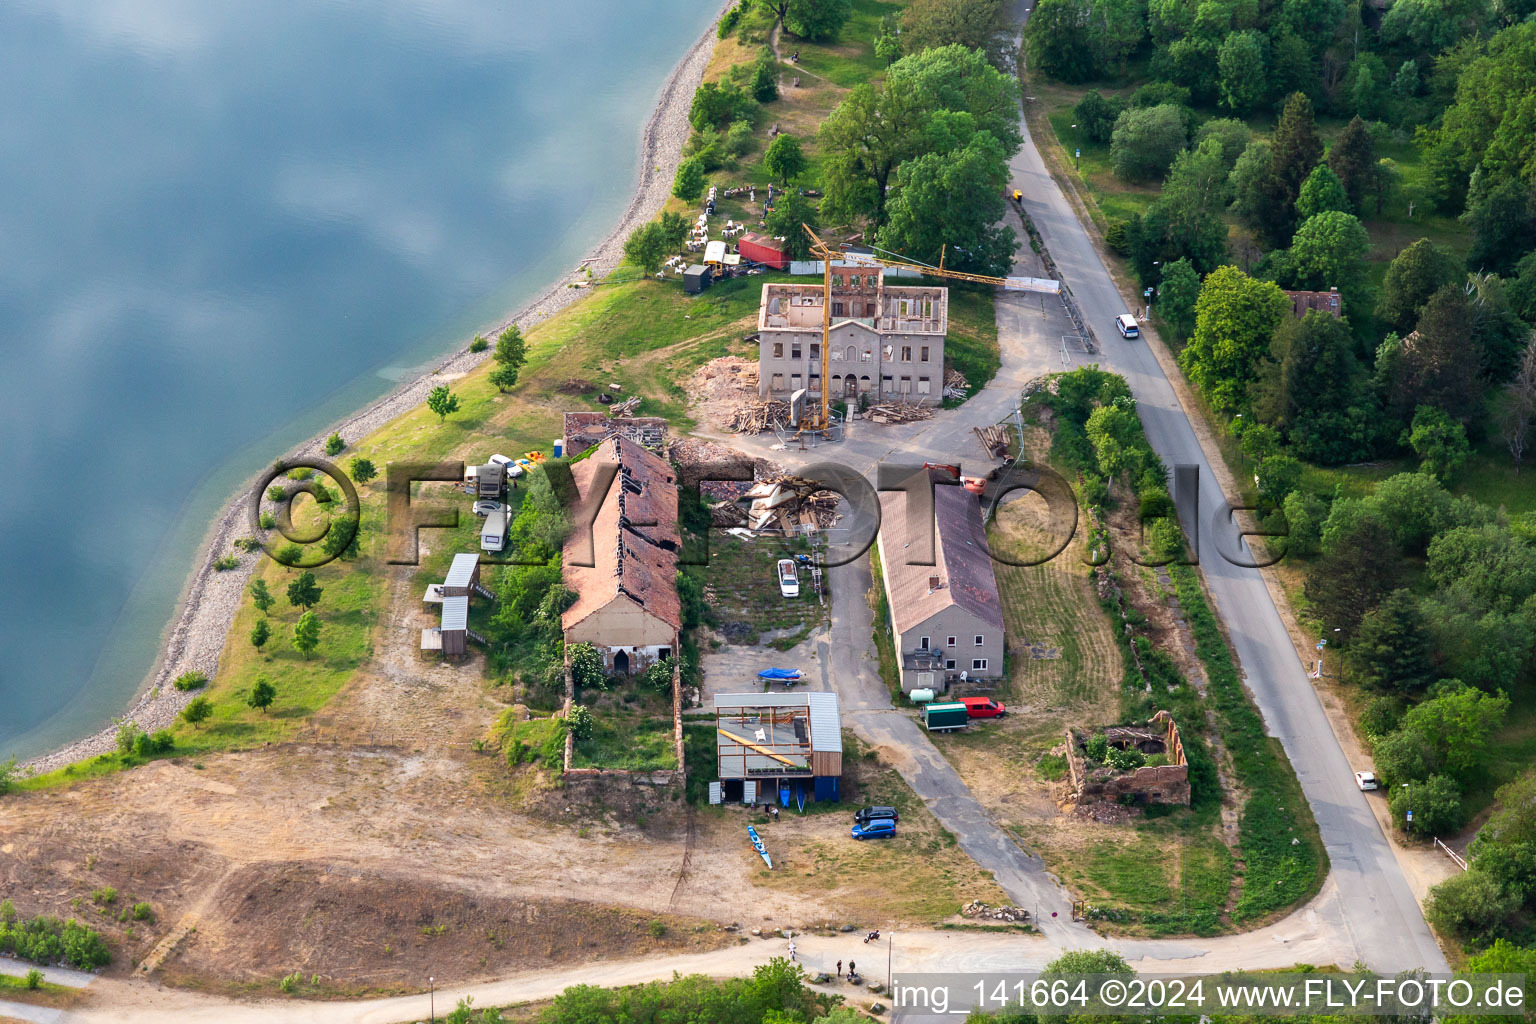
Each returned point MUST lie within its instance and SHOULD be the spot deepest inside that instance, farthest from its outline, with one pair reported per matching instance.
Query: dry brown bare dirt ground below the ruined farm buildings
(382, 848)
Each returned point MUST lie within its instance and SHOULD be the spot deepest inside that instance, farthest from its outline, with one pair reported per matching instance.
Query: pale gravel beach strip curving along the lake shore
(213, 598)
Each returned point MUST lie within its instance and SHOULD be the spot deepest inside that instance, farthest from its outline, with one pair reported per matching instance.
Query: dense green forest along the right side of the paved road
(1383, 157)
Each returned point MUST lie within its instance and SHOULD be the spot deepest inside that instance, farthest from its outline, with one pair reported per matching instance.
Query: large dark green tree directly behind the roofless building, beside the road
(955, 200)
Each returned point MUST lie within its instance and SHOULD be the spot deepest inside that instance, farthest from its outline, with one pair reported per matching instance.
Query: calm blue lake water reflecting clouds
(222, 228)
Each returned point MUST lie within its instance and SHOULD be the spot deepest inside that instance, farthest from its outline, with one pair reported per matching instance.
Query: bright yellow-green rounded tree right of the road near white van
(1236, 319)
